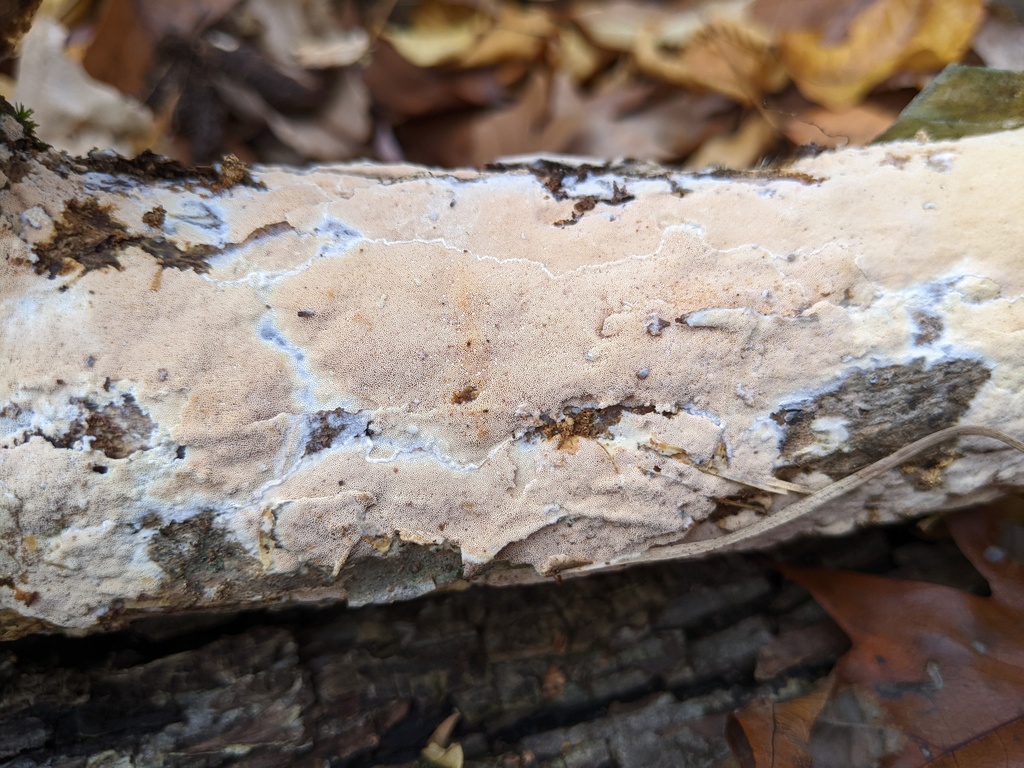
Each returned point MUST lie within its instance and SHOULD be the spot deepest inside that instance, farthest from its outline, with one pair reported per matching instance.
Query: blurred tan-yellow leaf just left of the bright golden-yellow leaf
(715, 48)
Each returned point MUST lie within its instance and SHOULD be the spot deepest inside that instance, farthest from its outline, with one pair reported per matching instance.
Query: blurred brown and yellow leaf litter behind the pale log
(464, 82)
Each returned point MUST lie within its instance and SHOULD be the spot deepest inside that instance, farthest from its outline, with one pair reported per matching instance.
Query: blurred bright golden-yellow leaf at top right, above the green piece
(885, 38)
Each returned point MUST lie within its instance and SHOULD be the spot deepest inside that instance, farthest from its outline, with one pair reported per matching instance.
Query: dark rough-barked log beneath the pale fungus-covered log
(636, 668)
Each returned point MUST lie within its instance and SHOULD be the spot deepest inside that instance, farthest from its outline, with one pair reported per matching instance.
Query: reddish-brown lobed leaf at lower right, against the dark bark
(935, 676)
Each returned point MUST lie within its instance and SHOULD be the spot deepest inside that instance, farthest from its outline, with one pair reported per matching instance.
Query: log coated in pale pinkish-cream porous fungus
(363, 382)
